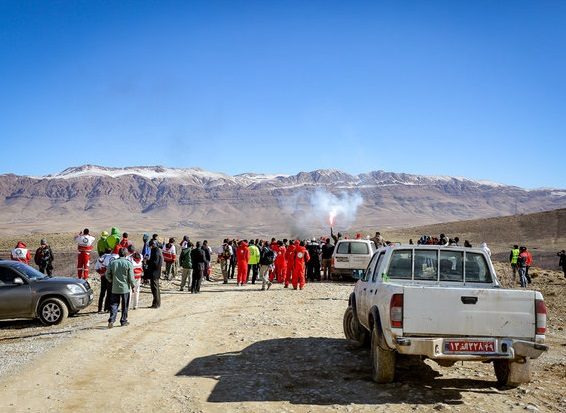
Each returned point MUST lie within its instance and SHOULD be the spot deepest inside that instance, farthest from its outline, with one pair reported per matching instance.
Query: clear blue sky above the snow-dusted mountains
(474, 89)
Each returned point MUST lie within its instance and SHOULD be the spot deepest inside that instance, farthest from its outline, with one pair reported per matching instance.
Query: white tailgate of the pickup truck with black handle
(468, 312)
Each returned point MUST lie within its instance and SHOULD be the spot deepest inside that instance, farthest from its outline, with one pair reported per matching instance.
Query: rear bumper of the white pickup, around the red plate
(435, 348)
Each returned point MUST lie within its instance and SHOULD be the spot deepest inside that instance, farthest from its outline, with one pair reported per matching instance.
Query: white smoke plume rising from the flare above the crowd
(311, 212)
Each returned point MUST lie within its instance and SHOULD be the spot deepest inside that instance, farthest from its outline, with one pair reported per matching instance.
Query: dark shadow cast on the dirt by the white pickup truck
(322, 371)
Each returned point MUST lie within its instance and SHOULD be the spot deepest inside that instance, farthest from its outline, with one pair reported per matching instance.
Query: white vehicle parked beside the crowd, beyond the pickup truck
(350, 257)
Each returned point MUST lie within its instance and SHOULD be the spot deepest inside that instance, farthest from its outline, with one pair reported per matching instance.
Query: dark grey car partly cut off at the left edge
(27, 293)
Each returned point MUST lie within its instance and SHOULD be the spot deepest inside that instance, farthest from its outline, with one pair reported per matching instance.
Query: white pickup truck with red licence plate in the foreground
(446, 304)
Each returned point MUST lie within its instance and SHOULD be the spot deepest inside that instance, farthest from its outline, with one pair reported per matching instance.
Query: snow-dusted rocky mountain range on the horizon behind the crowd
(214, 204)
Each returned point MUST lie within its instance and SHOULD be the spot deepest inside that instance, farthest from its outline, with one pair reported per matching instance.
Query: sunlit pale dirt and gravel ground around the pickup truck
(241, 349)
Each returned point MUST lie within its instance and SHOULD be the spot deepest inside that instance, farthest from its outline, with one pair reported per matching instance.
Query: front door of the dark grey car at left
(15, 299)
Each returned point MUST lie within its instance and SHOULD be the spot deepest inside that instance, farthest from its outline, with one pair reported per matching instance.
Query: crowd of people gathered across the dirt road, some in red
(123, 268)
